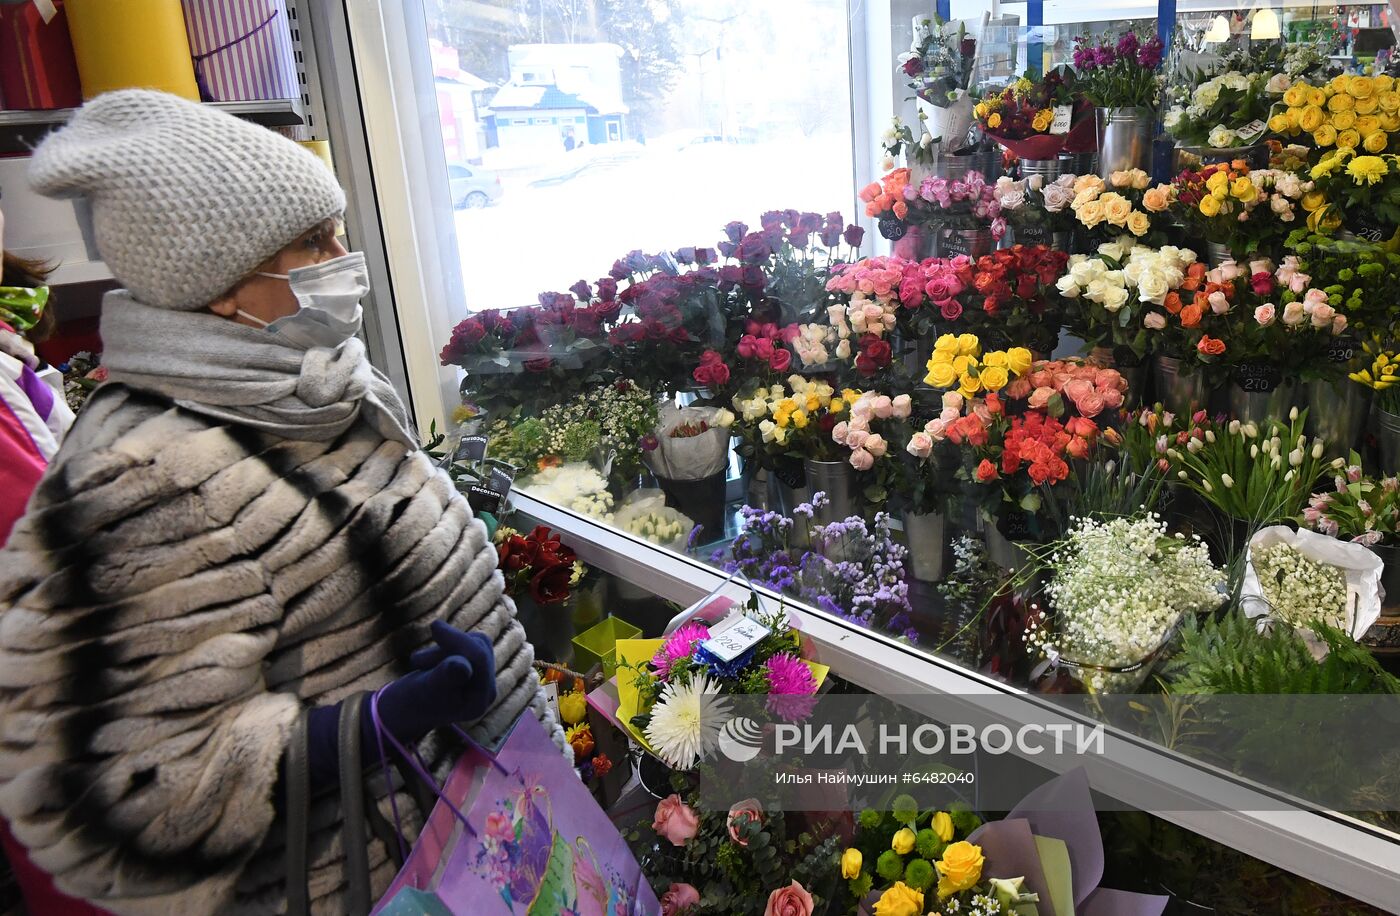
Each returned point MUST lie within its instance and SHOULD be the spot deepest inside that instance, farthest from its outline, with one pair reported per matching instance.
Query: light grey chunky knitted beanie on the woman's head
(185, 200)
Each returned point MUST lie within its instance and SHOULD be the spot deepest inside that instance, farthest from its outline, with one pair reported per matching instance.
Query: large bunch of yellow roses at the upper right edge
(1349, 113)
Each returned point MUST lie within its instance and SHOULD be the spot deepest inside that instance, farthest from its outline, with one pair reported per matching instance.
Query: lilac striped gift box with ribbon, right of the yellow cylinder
(243, 50)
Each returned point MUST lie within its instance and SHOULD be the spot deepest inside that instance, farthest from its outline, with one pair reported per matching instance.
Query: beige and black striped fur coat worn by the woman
(177, 593)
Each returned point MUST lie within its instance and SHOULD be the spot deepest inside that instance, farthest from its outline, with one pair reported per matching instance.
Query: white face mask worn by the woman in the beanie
(330, 295)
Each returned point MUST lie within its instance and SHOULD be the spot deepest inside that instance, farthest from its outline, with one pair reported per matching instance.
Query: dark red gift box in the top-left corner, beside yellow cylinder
(37, 65)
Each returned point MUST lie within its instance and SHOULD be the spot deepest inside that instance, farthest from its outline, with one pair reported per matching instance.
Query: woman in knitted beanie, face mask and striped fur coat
(240, 530)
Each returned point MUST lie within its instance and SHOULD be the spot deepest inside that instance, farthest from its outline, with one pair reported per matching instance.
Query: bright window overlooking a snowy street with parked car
(594, 130)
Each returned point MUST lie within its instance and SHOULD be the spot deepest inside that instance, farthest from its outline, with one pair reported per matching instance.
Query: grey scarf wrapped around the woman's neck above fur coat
(241, 375)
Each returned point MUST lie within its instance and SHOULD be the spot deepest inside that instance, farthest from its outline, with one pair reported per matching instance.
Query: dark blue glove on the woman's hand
(456, 681)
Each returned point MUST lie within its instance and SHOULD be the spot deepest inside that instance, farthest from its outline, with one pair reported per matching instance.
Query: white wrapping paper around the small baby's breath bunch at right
(1361, 567)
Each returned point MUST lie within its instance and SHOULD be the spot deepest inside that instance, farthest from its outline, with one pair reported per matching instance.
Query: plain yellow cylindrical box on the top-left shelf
(132, 44)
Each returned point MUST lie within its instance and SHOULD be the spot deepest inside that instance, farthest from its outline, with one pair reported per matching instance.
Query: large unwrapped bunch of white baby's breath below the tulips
(1118, 592)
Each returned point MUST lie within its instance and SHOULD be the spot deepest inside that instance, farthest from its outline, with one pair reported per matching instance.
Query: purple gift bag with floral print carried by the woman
(519, 834)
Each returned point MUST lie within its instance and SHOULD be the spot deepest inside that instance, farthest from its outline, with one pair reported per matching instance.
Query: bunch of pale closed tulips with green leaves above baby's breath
(1255, 473)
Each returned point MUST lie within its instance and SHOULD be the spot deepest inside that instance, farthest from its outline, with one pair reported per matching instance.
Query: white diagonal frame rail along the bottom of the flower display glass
(1332, 849)
